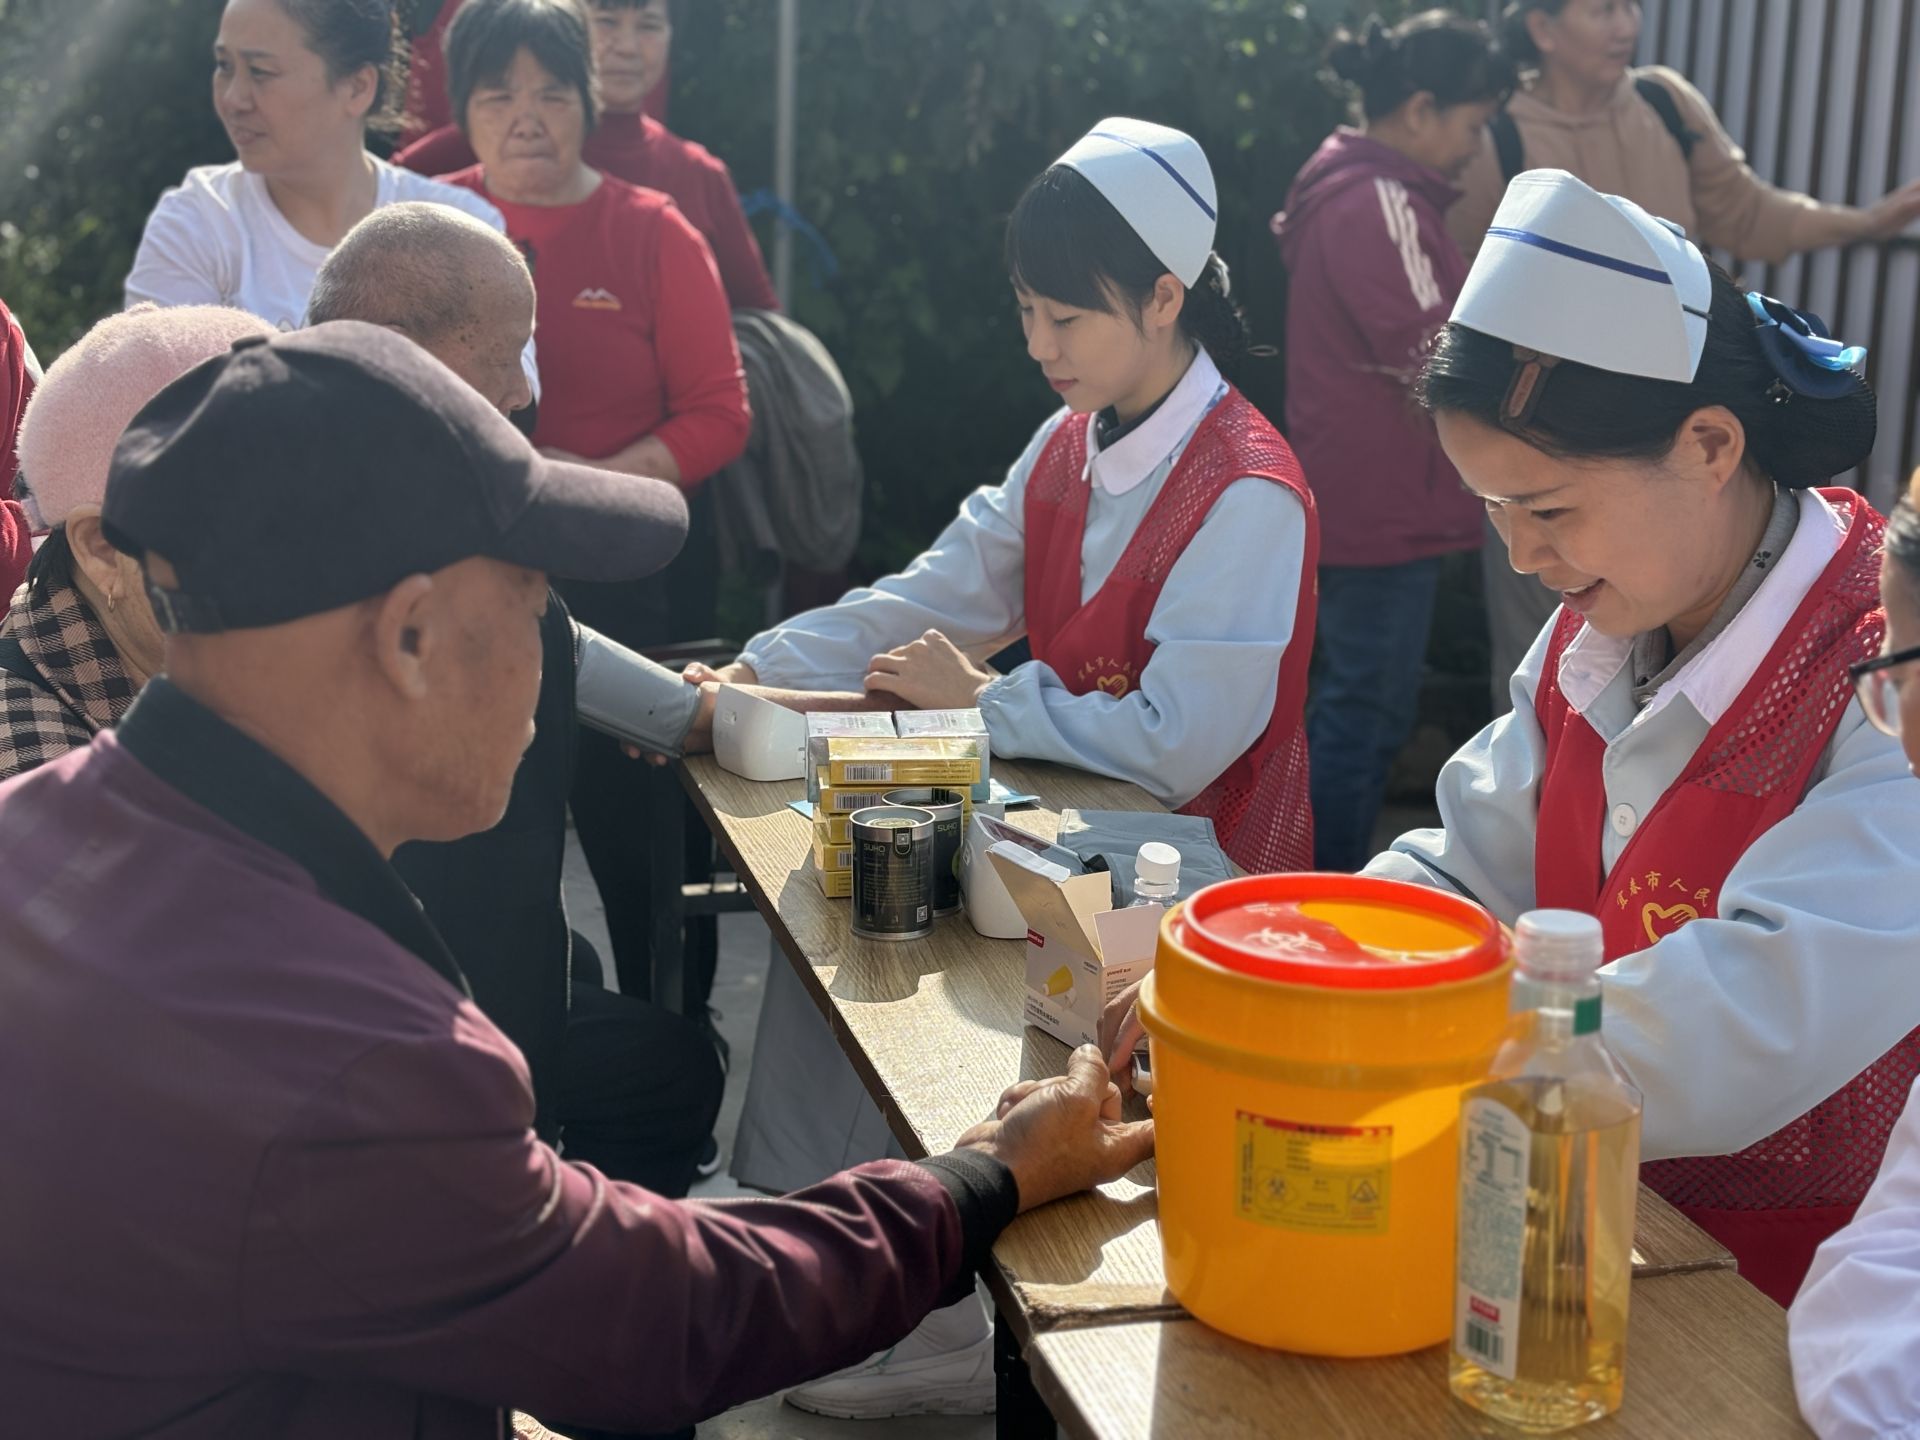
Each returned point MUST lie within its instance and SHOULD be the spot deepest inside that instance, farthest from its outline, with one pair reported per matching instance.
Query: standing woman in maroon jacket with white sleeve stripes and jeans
(1372, 279)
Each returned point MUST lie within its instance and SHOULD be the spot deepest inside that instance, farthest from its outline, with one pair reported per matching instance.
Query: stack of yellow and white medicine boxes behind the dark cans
(853, 759)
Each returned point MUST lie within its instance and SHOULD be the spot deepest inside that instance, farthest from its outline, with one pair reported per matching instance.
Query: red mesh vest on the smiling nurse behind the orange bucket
(1773, 1203)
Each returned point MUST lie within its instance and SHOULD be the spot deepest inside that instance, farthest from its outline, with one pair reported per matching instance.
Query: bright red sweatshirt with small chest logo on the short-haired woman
(635, 329)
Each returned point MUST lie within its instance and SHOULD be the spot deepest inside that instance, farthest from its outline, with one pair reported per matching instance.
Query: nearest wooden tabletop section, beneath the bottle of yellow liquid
(1706, 1358)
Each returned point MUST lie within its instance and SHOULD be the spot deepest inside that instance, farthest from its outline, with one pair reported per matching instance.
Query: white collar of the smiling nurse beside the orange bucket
(1714, 679)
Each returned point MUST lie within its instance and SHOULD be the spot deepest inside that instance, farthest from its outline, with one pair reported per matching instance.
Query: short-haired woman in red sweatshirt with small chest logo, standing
(638, 366)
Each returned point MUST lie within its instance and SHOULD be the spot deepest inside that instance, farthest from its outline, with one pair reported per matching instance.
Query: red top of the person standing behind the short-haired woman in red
(640, 151)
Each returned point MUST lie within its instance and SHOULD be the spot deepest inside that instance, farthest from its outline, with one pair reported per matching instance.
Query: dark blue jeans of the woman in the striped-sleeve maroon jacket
(1370, 656)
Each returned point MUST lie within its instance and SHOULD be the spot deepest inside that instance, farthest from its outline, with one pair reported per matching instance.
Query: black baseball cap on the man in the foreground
(306, 471)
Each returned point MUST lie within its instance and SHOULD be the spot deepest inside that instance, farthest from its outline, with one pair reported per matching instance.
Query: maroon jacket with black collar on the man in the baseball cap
(272, 1174)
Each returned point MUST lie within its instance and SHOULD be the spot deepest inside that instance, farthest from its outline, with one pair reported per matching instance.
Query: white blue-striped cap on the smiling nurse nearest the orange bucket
(1577, 276)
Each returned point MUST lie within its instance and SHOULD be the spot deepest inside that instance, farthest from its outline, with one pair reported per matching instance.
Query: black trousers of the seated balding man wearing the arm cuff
(640, 1092)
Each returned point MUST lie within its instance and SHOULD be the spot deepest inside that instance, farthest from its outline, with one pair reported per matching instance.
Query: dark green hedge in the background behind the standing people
(919, 126)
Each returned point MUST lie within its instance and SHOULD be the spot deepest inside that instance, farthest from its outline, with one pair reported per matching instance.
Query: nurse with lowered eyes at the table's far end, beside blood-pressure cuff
(1155, 542)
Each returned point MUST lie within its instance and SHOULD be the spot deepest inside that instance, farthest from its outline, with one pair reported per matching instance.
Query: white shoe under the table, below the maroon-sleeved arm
(946, 1368)
